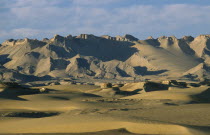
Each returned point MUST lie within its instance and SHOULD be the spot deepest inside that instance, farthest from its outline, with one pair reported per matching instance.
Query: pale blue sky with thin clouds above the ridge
(141, 18)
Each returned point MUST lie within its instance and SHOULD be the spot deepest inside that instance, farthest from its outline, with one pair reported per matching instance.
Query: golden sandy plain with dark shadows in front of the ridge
(90, 110)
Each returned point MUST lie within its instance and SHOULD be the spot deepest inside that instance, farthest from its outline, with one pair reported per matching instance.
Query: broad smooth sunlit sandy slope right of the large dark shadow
(170, 58)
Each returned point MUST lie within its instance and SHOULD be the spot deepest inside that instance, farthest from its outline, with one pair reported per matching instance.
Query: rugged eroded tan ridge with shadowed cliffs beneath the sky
(120, 57)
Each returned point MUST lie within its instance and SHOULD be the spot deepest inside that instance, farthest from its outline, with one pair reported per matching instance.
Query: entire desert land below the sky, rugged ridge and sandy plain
(46, 91)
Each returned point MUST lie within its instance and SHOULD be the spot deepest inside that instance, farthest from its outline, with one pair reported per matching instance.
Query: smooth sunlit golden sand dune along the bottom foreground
(82, 127)
